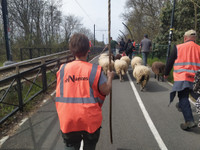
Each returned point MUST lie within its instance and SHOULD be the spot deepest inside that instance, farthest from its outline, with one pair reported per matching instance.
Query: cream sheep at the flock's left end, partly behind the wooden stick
(104, 62)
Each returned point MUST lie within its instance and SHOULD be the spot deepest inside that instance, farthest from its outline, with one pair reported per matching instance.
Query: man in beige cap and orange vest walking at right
(186, 59)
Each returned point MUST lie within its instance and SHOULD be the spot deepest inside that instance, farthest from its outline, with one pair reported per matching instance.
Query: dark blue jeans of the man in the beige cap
(184, 104)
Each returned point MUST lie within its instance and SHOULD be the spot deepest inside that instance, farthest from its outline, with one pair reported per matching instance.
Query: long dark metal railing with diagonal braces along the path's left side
(20, 88)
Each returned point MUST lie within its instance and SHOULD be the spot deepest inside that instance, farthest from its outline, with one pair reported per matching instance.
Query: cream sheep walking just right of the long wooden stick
(121, 68)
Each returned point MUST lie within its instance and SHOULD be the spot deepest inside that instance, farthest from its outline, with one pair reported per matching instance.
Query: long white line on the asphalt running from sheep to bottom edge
(150, 123)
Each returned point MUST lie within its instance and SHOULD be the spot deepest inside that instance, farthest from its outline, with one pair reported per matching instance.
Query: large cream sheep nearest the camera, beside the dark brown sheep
(141, 73)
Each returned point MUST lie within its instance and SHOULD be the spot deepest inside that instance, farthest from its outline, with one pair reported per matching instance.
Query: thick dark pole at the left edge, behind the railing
(6, 32)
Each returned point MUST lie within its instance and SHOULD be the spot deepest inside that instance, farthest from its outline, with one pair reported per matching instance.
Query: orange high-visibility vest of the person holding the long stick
(78, 100)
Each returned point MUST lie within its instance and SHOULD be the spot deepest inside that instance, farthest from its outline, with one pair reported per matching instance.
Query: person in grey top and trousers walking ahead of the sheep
(145, 48)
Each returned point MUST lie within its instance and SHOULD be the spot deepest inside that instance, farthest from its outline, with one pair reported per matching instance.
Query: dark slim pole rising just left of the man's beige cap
(171, 30)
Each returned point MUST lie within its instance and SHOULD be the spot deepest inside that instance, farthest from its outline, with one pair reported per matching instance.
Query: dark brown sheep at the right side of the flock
(159, 69)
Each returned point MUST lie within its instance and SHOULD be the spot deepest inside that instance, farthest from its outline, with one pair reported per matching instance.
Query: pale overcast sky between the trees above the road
(96, 12)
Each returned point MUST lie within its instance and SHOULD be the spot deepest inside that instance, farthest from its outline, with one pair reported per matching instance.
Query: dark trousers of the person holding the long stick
(72, 140)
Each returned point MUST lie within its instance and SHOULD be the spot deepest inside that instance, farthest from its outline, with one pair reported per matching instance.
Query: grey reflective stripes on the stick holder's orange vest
(90, 99)
